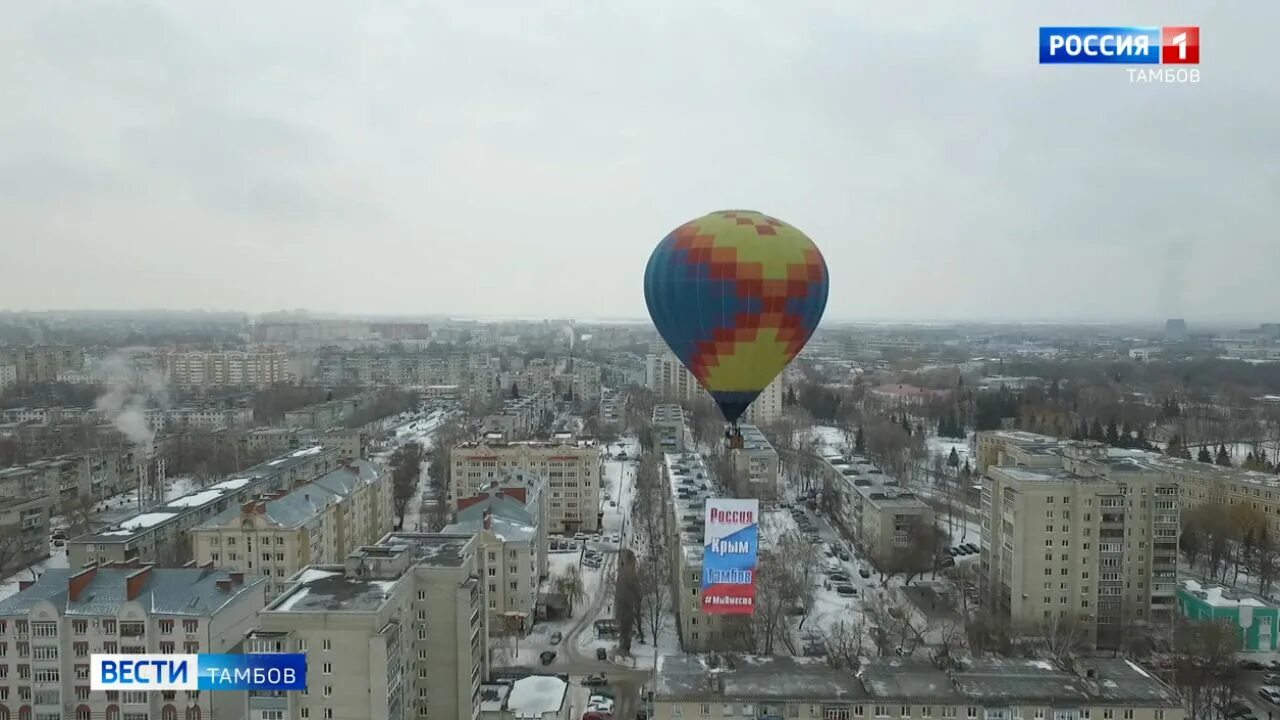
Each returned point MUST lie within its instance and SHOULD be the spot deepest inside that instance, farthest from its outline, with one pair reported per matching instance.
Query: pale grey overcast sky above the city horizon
(524, 158)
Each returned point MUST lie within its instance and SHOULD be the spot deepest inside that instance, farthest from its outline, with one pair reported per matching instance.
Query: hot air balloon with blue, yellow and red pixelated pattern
(735, 295)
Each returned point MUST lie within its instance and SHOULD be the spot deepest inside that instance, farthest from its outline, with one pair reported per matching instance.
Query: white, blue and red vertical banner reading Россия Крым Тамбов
(732, 539)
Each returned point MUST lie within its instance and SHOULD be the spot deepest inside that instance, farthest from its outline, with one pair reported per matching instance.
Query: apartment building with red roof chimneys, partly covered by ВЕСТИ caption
(54, 625)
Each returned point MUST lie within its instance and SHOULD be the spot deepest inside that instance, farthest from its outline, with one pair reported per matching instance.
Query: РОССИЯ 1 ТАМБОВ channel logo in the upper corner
(1172, 47)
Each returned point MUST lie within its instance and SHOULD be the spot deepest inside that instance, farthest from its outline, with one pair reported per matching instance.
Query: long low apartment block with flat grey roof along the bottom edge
(906, 689)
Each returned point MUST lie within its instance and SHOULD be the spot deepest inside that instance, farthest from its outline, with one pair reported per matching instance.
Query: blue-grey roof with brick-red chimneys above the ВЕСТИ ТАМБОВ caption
(161, 591)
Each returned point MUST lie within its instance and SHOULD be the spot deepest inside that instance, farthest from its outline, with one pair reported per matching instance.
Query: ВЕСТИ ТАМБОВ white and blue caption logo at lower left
(205, 672)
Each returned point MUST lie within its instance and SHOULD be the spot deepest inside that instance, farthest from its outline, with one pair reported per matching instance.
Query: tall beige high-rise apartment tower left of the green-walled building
(1092, 540)
